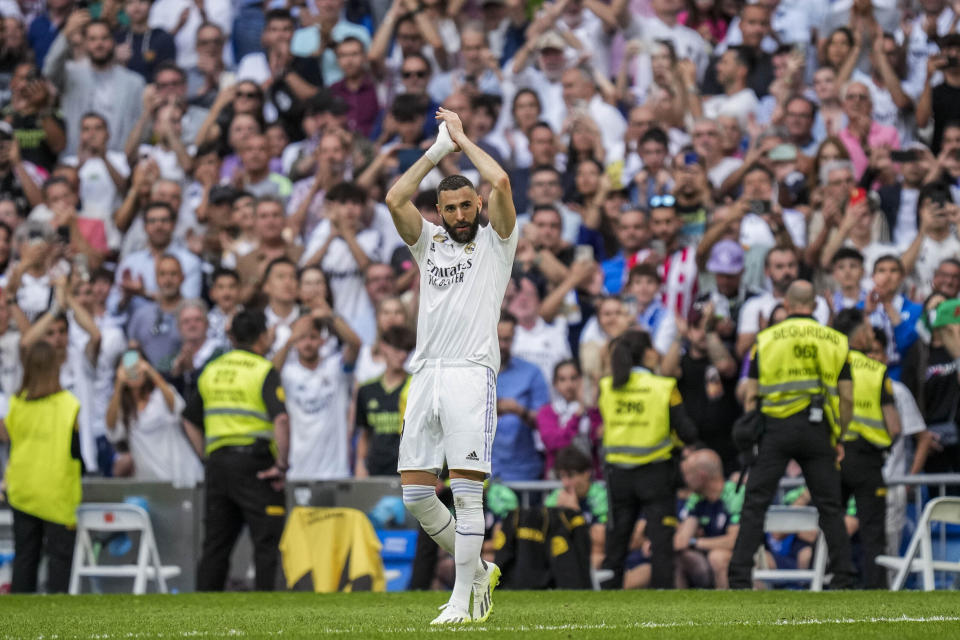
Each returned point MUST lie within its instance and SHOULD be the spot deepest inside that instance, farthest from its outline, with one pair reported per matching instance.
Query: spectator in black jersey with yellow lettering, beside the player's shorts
(379, 420)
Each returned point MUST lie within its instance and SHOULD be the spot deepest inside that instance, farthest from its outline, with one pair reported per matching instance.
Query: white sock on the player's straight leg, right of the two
(468, 499)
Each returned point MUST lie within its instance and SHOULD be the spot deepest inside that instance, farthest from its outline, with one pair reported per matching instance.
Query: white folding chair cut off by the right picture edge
(944, 509)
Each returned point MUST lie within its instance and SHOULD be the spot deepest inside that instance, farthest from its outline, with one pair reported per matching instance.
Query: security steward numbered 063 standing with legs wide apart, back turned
(796, 368)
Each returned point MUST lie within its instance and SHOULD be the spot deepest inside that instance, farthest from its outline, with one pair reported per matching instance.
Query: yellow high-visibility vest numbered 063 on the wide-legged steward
(798, 359)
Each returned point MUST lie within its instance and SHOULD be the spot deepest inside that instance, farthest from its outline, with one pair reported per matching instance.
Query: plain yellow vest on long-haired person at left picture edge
(42, 478)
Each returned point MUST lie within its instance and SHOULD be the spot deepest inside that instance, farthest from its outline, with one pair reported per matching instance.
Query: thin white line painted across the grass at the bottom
(522, 628)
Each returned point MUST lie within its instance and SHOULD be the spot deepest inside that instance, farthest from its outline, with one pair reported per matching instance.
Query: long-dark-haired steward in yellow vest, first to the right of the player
(643, 417)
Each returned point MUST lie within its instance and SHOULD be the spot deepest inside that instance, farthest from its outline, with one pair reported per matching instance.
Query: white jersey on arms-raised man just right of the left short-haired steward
(318, 401)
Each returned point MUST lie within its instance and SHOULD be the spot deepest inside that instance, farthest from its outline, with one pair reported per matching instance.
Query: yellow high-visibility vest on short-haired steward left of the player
(234, 413)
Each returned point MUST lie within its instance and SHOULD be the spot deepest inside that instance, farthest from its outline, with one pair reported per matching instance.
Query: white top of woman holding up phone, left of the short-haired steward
(159, 446)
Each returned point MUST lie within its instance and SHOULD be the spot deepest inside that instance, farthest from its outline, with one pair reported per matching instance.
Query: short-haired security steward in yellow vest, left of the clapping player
(238, 419)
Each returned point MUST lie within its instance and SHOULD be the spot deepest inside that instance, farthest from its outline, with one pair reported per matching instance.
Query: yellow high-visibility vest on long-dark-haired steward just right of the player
(636, 418)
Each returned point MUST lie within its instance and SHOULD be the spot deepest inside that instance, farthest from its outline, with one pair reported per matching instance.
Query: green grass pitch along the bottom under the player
(527, 615)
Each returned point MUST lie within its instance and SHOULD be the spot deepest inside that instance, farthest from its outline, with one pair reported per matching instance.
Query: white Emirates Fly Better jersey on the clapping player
(461, 290)
